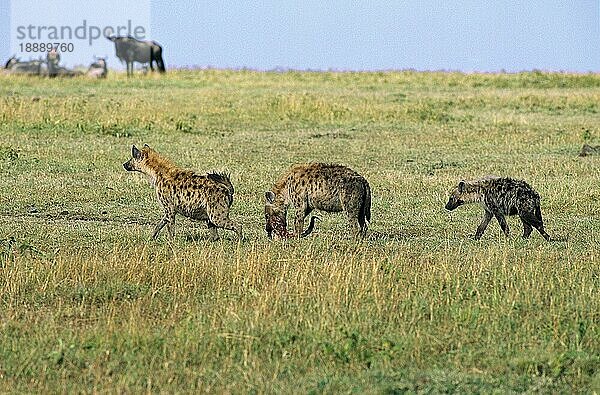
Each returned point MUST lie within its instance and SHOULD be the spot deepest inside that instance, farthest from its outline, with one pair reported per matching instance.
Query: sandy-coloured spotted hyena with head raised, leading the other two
(203, 197)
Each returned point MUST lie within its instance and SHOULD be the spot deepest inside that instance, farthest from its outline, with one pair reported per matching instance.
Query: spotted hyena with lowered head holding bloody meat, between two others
(321, 186)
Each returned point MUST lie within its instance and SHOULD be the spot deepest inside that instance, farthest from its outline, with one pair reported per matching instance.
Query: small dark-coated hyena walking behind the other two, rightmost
(500, 197)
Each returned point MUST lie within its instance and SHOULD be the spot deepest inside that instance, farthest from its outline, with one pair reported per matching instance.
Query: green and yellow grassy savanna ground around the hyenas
(89, 304)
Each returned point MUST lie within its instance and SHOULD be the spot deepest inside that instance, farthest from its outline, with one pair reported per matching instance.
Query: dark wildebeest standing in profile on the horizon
(130, 50)
